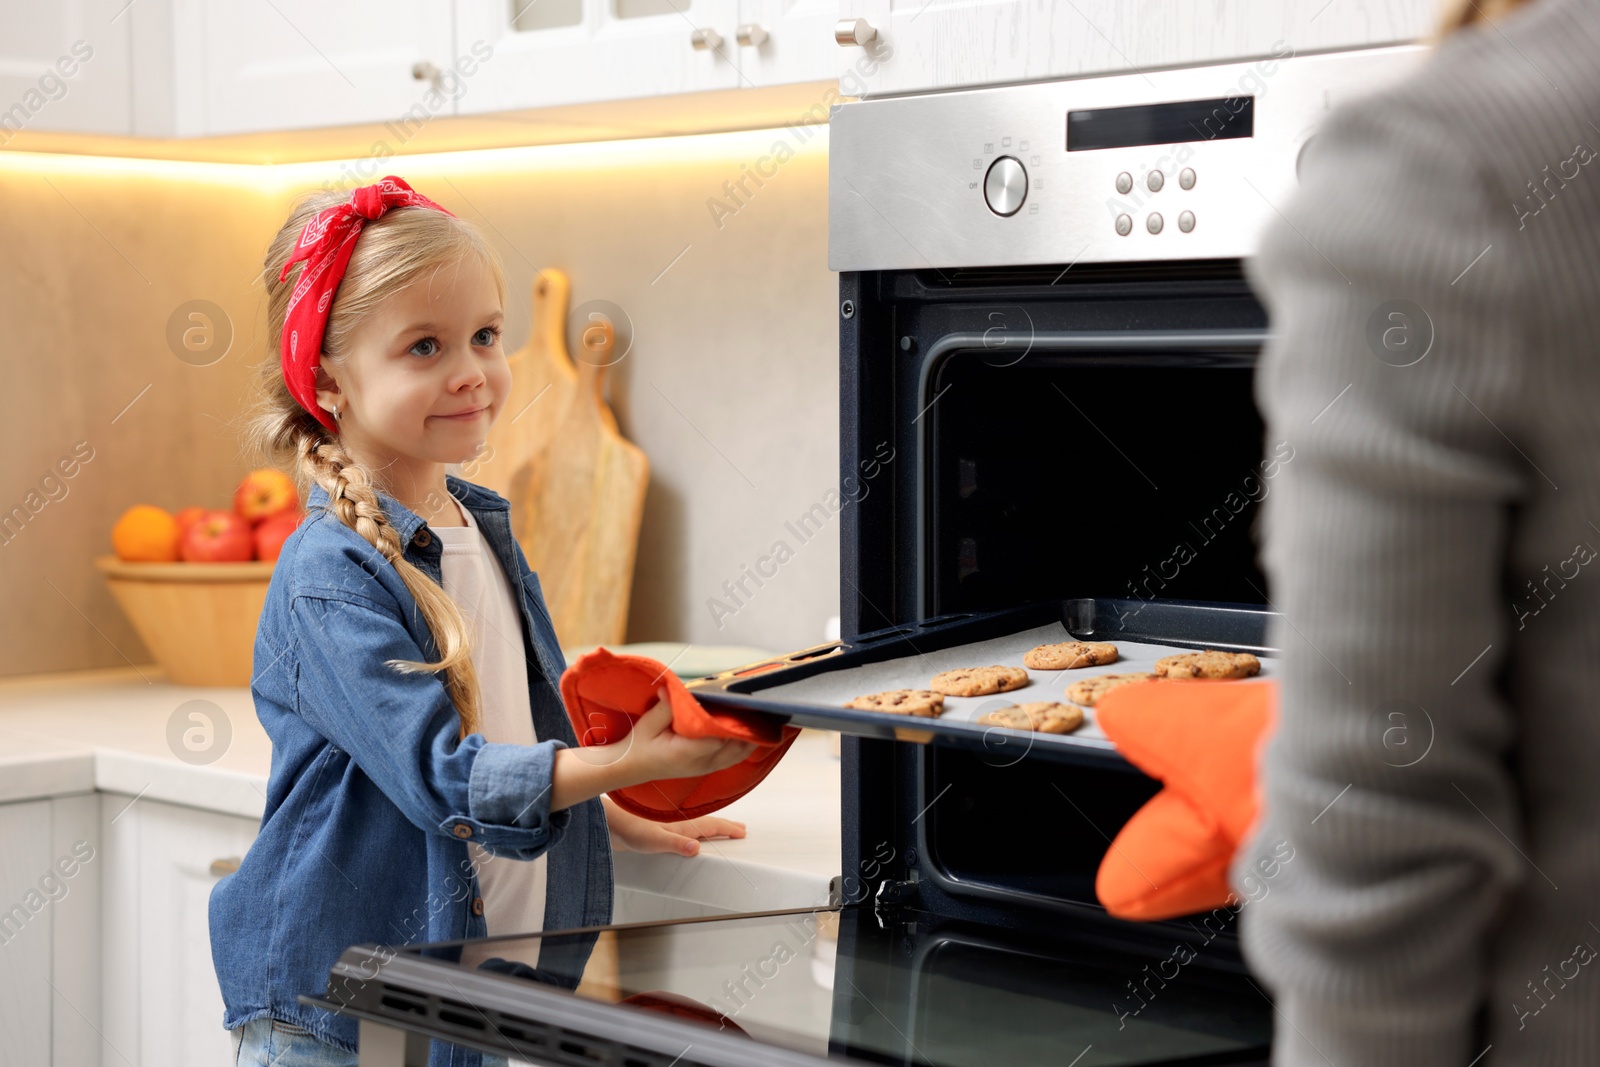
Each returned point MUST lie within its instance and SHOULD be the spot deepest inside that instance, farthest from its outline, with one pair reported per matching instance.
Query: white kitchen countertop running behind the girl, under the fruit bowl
(108, 730)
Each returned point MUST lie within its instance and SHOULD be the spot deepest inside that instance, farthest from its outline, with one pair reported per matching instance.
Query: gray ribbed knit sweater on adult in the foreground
(1436, 367)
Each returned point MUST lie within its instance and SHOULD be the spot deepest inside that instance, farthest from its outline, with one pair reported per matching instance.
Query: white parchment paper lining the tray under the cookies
(914, 673)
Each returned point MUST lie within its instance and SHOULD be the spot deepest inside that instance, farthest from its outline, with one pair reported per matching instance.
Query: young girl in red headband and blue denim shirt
(426, 783)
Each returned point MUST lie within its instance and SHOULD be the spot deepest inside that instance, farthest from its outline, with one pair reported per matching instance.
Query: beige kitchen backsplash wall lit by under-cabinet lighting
(713, 247)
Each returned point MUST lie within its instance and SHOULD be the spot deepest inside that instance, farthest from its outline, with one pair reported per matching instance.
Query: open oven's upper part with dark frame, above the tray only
(1047, 434)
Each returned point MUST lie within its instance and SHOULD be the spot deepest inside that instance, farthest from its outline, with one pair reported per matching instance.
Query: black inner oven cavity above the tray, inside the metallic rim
(1081, 474)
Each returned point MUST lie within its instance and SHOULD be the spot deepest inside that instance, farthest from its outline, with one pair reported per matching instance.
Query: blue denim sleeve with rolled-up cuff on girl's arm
(402, 730)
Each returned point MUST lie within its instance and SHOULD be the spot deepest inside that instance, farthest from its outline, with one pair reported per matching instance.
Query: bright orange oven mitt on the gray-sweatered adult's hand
(1199, 740)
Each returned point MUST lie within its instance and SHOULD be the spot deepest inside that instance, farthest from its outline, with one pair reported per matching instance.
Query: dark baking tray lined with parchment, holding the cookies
(809, 689)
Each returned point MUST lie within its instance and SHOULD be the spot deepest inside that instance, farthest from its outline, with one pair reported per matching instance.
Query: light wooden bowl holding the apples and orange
(199, 620)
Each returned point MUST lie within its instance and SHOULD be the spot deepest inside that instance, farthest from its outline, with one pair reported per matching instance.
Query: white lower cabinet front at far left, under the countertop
(50, 933)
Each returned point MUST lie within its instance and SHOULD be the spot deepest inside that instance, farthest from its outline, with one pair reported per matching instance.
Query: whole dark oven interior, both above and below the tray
(1055, 433)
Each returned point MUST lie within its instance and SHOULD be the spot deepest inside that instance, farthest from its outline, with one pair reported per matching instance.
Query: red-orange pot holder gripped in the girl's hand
(606, 693)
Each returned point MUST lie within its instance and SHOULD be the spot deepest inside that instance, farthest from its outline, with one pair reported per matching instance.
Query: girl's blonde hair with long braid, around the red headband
(391, 254)
